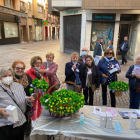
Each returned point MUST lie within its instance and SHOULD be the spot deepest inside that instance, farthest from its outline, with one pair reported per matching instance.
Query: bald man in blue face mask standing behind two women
(84, 54)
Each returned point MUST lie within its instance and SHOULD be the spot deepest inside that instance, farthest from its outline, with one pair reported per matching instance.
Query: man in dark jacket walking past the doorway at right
(124, 49)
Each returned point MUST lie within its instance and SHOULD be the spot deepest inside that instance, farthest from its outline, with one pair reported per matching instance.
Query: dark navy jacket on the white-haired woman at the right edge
(133, 81)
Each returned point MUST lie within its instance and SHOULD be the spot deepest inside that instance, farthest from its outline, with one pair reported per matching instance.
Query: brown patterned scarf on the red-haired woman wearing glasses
(22, 80)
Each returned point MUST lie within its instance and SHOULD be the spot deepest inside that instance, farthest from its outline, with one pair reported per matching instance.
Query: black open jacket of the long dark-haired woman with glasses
(95, 76)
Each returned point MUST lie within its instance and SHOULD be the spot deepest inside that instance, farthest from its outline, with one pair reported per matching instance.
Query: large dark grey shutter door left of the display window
(72, 34)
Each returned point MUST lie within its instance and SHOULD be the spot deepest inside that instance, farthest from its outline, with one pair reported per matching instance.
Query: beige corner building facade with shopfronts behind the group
(83, 22)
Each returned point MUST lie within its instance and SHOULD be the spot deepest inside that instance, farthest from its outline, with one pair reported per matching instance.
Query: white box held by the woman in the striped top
(12, 111)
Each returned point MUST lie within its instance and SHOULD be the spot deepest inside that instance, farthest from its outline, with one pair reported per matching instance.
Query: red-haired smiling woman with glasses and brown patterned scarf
(25, 80)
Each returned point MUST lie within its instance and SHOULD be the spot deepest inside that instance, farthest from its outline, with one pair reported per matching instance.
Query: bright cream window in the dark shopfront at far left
(10, 29)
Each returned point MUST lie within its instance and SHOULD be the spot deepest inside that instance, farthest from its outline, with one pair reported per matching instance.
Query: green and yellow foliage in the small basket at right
(119, 86)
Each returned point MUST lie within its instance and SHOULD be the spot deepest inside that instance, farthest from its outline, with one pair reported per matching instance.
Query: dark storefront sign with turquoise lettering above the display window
(104, 17)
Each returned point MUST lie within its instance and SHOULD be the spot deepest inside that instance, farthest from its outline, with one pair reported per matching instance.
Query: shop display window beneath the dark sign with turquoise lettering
(101, 30)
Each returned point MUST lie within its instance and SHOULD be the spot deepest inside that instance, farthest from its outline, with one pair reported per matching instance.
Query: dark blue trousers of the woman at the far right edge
(134, 99)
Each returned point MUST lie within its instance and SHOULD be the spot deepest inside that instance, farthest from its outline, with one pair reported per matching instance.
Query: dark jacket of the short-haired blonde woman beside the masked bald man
(69, 73)
